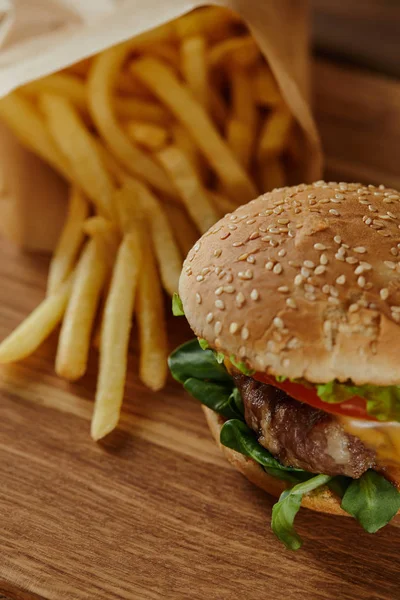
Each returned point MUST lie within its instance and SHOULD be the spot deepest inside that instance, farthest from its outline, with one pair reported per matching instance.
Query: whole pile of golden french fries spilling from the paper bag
(158, 137)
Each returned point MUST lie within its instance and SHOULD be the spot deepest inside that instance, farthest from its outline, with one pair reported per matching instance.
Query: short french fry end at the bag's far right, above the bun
(274, 134)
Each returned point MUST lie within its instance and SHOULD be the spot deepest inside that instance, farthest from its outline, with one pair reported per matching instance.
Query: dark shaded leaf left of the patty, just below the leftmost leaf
(216, 396)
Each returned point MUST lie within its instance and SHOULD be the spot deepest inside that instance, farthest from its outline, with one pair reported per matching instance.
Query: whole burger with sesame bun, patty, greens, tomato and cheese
(294, 299)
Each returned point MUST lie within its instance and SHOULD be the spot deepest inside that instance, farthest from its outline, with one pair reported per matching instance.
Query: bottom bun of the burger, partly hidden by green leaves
(321, 500)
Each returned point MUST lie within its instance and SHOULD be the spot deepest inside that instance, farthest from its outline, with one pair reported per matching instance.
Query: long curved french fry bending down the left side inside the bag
(101, 84)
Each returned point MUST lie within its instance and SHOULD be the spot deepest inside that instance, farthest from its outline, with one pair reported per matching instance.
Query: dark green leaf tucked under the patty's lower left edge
(238, 436)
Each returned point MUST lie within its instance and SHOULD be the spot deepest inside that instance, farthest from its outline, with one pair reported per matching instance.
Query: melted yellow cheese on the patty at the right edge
(384, 438)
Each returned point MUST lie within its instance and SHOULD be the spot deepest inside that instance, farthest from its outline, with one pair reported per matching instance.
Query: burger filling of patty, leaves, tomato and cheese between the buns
(336, 435)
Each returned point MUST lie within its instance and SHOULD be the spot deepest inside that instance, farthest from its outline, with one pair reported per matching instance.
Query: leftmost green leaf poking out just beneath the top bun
(189, 360)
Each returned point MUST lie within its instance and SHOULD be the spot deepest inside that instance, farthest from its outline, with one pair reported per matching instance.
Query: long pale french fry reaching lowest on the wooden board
(115, 337)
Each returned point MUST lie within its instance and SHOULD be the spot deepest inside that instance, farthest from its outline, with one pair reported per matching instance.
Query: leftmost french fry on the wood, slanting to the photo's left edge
(30, 334)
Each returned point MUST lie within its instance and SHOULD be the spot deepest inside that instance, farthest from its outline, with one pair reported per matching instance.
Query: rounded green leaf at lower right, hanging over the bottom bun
(372, 500)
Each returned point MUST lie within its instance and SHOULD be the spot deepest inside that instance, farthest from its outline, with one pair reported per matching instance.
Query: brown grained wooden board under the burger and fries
(154, 511)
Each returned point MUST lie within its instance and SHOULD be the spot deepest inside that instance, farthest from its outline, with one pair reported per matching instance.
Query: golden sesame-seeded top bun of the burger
(303, 282)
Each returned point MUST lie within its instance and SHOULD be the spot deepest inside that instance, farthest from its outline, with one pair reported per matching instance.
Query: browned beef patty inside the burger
(299, 435)
